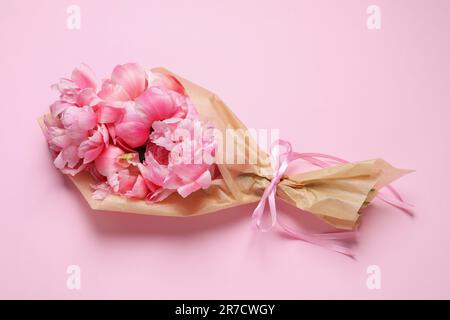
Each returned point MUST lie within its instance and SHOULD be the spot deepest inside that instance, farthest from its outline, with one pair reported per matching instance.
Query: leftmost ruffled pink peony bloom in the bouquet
(73, 133)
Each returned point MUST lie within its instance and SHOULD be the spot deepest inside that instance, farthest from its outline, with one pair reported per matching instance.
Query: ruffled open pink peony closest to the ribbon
(179, 157)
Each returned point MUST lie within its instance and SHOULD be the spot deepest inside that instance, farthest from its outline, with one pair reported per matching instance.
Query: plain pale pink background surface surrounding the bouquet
(357, 93)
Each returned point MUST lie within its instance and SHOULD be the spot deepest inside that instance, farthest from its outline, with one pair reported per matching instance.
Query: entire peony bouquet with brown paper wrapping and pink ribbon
(150, 142)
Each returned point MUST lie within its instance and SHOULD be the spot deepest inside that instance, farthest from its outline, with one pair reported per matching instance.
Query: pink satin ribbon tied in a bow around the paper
(281, 155)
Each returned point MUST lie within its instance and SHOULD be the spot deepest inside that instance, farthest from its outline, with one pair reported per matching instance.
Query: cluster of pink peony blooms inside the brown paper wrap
(134, 135)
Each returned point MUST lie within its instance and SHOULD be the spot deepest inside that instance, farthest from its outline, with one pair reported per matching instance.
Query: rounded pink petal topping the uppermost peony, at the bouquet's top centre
(131, 77)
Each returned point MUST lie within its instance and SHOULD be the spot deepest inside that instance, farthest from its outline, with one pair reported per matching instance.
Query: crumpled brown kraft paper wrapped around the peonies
(335, 194)
